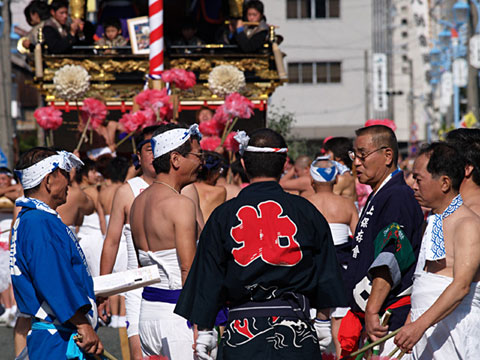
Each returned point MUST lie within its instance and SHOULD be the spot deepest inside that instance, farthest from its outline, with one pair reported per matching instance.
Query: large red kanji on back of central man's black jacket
(265, 234)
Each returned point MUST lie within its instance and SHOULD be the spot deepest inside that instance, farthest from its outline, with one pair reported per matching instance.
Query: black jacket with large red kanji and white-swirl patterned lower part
(262, 245)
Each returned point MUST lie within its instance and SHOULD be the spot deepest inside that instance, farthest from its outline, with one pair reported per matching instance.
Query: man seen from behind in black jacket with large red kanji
(269, 255)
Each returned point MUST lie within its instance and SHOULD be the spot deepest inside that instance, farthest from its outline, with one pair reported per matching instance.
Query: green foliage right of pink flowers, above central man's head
(282, 121)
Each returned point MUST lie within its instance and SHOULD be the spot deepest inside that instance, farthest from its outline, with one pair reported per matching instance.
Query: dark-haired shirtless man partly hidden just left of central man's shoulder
(211, 195)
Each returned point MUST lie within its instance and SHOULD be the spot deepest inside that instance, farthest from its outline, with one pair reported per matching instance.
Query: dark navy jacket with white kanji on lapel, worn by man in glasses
(388, 234)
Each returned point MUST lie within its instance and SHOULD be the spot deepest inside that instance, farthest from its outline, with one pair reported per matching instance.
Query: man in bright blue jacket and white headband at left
(50, 276)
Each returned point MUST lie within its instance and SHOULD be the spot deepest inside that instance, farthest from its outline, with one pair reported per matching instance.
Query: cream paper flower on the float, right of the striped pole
(226, 79)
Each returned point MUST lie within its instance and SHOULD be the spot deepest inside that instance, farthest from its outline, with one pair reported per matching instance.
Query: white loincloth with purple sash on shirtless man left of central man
(161, 331)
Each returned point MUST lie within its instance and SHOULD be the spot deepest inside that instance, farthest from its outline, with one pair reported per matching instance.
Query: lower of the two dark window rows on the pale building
(314, 73)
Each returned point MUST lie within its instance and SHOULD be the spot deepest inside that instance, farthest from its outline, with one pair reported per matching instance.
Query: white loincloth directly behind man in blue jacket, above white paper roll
(90, 238)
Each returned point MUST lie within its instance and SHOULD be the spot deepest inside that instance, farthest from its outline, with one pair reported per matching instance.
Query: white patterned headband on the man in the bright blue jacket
(33, 175)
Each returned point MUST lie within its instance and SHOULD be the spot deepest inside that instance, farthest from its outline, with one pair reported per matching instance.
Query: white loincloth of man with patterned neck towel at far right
(455, 337)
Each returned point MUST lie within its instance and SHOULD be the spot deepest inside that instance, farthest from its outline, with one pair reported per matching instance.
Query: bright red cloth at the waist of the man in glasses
(351, 327)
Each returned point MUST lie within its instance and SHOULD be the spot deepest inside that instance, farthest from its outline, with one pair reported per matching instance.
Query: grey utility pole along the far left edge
(6, 125)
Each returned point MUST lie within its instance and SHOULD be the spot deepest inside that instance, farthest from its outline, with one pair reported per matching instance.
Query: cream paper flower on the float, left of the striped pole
(71, 82)
